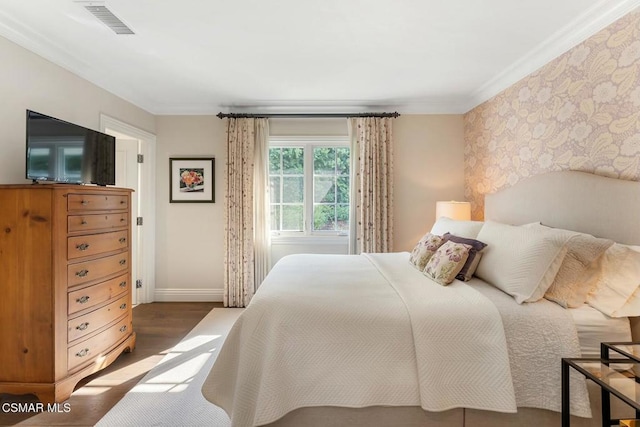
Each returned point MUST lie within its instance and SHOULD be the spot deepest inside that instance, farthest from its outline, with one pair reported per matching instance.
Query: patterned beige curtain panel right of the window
(372, 184)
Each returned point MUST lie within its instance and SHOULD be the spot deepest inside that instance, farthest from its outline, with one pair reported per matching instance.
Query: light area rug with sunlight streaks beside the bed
(169, 395)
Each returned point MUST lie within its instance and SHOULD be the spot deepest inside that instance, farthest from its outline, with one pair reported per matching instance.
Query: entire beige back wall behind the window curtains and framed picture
(428, 167)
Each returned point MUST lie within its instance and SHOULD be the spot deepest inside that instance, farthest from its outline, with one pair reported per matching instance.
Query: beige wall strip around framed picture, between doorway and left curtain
(189, 236)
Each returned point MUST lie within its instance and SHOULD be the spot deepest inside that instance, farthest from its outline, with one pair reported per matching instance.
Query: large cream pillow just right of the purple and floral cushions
(520, 261)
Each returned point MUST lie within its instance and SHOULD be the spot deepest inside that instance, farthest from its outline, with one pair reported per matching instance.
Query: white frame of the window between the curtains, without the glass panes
(309, 143)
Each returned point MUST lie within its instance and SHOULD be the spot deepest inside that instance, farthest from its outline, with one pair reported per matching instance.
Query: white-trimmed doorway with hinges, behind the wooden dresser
(135, 169)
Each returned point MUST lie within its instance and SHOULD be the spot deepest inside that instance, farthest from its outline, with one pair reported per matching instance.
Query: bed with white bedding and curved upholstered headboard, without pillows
(375, 349)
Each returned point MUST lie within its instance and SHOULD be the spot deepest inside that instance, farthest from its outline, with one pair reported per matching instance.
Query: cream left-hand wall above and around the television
(28, 81)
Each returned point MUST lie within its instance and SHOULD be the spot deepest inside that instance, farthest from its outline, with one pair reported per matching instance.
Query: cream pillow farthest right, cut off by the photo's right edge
(615, 287)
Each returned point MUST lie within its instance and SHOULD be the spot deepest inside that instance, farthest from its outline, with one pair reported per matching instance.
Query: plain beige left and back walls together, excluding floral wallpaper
(428, 164)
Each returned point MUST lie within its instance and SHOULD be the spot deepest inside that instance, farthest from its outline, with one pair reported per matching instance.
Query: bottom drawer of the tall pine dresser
(86, 351)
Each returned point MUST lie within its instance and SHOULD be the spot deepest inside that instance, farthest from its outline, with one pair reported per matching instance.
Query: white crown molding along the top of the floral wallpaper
(584, 26)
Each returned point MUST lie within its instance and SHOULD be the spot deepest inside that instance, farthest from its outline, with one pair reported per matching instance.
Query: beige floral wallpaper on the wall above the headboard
(581, 112)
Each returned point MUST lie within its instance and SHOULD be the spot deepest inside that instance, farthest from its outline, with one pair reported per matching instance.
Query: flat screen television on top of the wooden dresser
(60, 151)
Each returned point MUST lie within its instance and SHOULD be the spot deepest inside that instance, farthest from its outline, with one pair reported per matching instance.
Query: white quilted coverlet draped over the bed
(358, 331)
